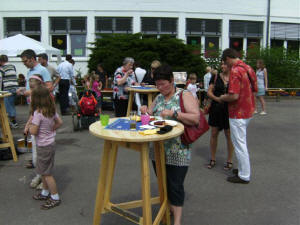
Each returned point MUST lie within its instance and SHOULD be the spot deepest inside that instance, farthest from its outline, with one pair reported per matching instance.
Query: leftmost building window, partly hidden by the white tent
(30, 27)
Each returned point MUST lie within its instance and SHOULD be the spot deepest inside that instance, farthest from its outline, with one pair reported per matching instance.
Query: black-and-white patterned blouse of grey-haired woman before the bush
(120, 90)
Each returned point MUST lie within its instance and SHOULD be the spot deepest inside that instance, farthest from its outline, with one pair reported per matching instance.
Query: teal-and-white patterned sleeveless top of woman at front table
(176, 153)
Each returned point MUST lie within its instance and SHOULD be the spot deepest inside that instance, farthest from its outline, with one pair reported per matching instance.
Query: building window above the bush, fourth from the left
(159, 26)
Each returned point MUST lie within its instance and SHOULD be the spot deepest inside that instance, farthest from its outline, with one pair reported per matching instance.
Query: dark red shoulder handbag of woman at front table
(192, 133)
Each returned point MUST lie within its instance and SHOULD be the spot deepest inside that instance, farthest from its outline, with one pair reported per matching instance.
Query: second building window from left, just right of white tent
(73, 29)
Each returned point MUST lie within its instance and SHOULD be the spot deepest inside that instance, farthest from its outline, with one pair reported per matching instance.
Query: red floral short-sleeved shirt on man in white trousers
(239, 83)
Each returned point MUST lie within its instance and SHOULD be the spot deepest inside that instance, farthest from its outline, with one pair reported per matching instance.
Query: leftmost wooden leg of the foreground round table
(101, 189)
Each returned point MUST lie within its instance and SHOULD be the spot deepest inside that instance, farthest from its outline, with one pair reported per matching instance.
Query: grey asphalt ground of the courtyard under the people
(271, 198)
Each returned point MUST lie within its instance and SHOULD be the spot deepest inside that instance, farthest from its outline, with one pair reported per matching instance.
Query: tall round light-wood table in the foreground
(137, 142)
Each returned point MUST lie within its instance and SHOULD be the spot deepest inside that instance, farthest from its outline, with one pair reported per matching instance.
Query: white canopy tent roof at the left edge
(15, 45)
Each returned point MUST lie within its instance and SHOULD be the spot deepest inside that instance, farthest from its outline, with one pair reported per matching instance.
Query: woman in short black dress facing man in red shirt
(218, 115)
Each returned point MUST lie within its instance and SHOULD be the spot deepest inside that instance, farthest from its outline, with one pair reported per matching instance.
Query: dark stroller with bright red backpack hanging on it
(87, 111)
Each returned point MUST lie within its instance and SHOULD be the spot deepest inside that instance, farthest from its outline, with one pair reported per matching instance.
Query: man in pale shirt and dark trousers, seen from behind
(66, 72)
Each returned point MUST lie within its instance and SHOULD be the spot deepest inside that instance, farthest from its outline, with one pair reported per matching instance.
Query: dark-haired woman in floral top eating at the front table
(178, 155)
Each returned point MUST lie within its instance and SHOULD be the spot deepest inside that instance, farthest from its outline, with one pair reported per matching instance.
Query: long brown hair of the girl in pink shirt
(42, 101)
